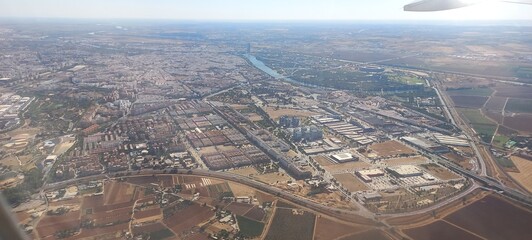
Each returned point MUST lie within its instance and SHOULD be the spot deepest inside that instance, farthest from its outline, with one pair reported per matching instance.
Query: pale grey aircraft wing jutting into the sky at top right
(440, 5)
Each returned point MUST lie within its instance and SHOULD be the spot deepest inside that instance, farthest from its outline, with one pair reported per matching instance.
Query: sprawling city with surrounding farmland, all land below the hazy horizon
(268, 131)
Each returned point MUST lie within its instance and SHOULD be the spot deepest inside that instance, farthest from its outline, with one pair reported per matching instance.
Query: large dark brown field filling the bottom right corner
(493, 218)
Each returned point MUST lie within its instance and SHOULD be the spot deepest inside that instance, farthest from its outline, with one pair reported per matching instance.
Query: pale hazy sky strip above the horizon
(254, 10)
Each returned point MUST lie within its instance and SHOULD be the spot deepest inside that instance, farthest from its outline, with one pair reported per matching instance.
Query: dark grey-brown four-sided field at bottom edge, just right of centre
(291, 223)
